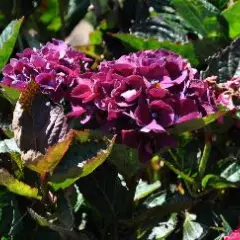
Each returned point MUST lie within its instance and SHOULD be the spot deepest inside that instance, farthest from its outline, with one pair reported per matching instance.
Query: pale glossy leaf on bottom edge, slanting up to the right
(164, 229)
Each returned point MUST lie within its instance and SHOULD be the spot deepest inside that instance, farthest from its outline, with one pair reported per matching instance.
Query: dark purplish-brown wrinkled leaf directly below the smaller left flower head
(35, 133)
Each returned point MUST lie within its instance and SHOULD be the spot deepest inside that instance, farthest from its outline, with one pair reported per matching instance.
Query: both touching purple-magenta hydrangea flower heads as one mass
(139, 96)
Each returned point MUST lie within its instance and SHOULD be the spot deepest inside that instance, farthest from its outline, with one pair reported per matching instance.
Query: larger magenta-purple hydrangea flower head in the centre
(140, 96)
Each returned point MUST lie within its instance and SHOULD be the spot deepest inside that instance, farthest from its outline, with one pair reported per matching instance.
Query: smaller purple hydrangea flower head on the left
(55, 66)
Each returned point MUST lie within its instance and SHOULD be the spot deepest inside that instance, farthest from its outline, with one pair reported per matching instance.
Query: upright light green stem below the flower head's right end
(205, 155)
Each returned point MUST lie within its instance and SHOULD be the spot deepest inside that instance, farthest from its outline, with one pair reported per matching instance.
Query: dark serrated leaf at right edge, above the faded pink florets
(225, 64)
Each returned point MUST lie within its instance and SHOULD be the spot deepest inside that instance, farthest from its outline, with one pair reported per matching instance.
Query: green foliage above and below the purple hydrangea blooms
(99, 190)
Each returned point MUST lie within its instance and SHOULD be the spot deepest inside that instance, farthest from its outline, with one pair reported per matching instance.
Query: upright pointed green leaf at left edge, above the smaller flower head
(7, 41)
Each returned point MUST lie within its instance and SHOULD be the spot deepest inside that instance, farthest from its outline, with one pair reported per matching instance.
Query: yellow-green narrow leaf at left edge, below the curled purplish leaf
(16, 186)
